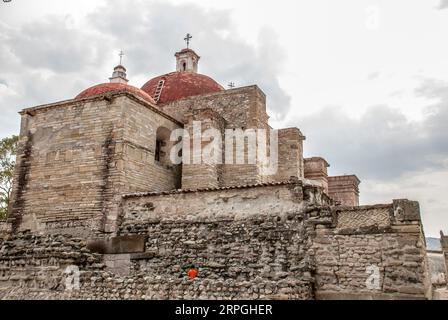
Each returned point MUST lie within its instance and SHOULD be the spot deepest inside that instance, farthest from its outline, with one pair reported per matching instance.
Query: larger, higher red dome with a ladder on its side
(180, 85)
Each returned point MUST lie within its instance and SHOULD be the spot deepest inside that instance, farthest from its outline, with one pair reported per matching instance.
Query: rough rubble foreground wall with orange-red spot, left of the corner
(258, 255)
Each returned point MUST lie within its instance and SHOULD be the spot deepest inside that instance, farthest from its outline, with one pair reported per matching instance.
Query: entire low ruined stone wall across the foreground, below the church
(283, 241)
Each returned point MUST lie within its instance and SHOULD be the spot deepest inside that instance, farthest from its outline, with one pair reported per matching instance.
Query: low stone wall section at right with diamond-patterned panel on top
(372, 252)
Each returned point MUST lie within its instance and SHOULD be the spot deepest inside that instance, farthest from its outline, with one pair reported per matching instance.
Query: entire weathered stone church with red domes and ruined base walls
(97, 199)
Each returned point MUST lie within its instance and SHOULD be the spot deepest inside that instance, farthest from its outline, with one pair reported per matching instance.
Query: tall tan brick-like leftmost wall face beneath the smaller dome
(64, 153)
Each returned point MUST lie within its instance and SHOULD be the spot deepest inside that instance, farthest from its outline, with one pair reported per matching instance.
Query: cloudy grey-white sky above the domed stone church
(365, 80)
